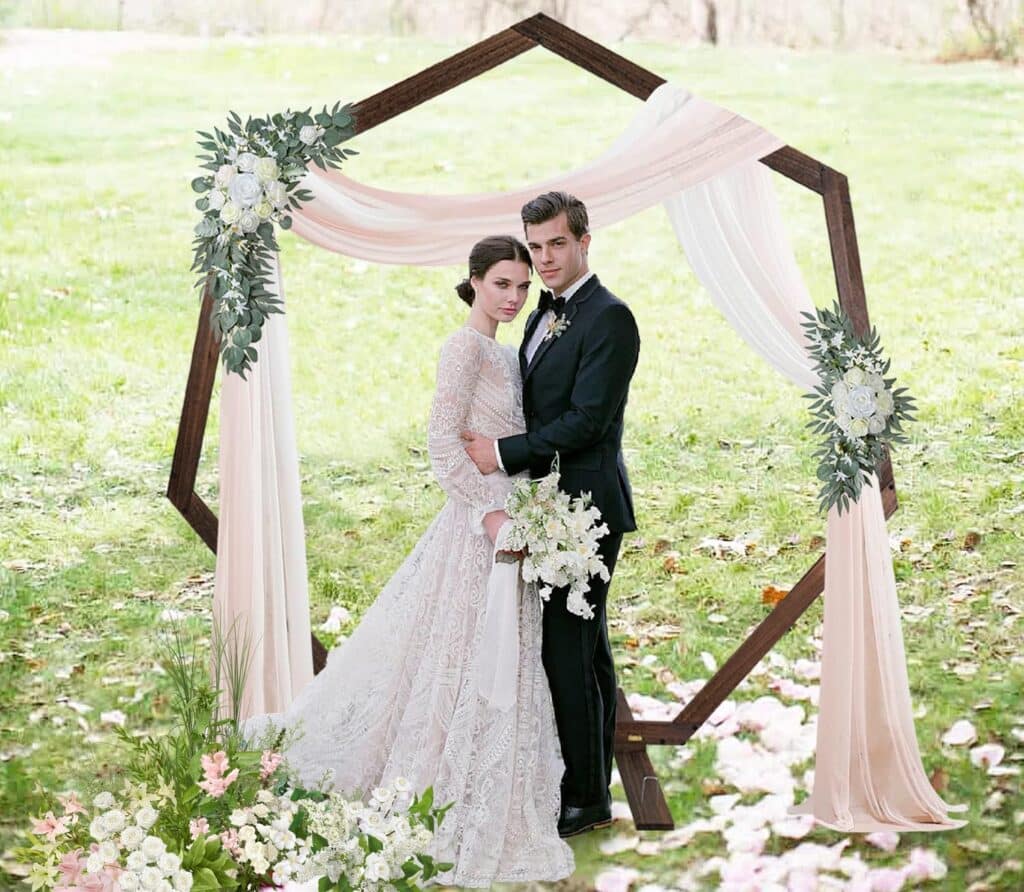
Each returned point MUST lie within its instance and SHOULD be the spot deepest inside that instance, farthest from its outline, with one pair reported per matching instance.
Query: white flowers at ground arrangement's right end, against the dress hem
(385, 817)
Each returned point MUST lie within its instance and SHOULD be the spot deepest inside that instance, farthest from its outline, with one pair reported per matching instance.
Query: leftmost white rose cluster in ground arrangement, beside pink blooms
(125, 841)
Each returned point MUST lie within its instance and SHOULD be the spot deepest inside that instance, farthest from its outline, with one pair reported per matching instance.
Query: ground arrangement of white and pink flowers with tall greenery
(200, 812)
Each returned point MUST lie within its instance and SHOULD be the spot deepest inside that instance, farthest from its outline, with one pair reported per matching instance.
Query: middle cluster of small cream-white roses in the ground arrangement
(265, 839)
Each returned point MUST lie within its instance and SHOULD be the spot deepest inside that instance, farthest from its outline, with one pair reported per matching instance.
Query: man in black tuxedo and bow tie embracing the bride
(578, 356)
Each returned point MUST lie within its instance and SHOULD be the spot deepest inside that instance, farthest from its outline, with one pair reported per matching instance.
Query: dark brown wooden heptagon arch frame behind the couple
(644, 790)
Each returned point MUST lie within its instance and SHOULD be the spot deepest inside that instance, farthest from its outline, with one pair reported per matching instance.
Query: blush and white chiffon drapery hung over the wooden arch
(701, 161)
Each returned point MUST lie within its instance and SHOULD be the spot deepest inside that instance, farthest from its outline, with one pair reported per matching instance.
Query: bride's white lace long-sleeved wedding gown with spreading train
(399, 698)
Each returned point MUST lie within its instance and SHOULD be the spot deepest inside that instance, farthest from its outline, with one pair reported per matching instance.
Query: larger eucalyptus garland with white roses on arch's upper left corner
(255, 169)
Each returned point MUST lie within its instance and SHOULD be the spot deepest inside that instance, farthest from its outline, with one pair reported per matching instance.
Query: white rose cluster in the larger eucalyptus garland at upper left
(248, 191)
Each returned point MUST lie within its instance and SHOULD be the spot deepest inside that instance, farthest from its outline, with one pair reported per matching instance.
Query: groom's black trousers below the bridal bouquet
(582, 676)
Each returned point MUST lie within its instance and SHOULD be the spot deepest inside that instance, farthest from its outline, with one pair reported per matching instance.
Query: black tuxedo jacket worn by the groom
(575, 395)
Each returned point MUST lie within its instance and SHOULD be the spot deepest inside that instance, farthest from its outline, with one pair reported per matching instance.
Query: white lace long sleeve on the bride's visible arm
(458, 373)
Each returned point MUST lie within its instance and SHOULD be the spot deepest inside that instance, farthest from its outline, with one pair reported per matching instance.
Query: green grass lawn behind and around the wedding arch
(98, 317)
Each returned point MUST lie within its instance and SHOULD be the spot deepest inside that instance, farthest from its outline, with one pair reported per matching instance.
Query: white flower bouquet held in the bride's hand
(560, 536)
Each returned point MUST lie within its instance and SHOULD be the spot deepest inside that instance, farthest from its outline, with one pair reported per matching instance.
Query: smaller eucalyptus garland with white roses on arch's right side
(855, 406)
